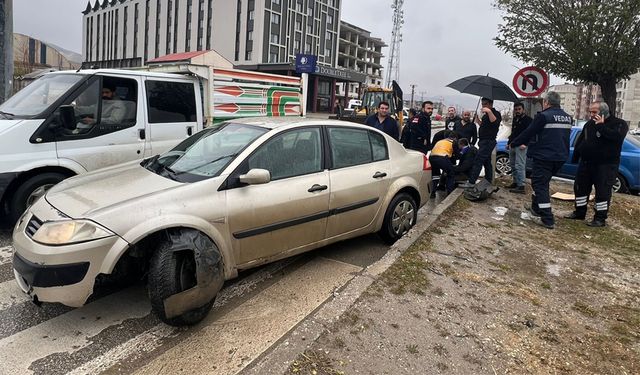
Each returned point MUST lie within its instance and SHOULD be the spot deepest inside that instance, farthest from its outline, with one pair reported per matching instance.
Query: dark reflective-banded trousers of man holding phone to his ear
(600, 175)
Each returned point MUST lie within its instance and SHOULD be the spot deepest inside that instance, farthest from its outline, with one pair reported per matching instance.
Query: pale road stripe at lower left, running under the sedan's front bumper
(70, 332)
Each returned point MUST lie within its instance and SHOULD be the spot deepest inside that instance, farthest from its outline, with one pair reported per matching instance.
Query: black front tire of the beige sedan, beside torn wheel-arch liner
(172, 272)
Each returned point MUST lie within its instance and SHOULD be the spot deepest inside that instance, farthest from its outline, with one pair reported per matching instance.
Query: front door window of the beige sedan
(293, 153)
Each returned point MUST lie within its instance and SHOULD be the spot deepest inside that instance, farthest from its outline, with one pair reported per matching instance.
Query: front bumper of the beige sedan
(64, 274)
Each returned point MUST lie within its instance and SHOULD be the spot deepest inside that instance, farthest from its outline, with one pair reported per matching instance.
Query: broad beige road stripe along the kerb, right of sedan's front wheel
(222, 345)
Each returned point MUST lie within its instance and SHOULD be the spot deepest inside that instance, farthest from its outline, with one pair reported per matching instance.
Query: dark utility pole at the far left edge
(6, 49)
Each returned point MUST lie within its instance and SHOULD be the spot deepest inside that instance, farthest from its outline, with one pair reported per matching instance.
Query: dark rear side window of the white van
(171, 102)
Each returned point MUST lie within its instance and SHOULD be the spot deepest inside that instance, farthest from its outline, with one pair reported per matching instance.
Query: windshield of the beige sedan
(206, 153)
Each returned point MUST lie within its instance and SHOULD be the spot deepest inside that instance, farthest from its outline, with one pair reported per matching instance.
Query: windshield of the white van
(39, 95)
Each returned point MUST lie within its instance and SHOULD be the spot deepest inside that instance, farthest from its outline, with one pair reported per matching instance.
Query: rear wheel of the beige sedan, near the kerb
(403, 209)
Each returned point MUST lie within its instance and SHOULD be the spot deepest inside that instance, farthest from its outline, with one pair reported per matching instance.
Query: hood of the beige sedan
(80, 196)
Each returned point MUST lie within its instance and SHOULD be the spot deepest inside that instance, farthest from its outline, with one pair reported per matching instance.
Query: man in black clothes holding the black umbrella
(489, 125)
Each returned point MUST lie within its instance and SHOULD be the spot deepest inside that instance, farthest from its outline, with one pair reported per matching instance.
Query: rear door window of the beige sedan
(349, 147)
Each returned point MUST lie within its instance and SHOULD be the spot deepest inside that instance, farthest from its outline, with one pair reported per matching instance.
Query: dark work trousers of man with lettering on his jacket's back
(541, 174)
